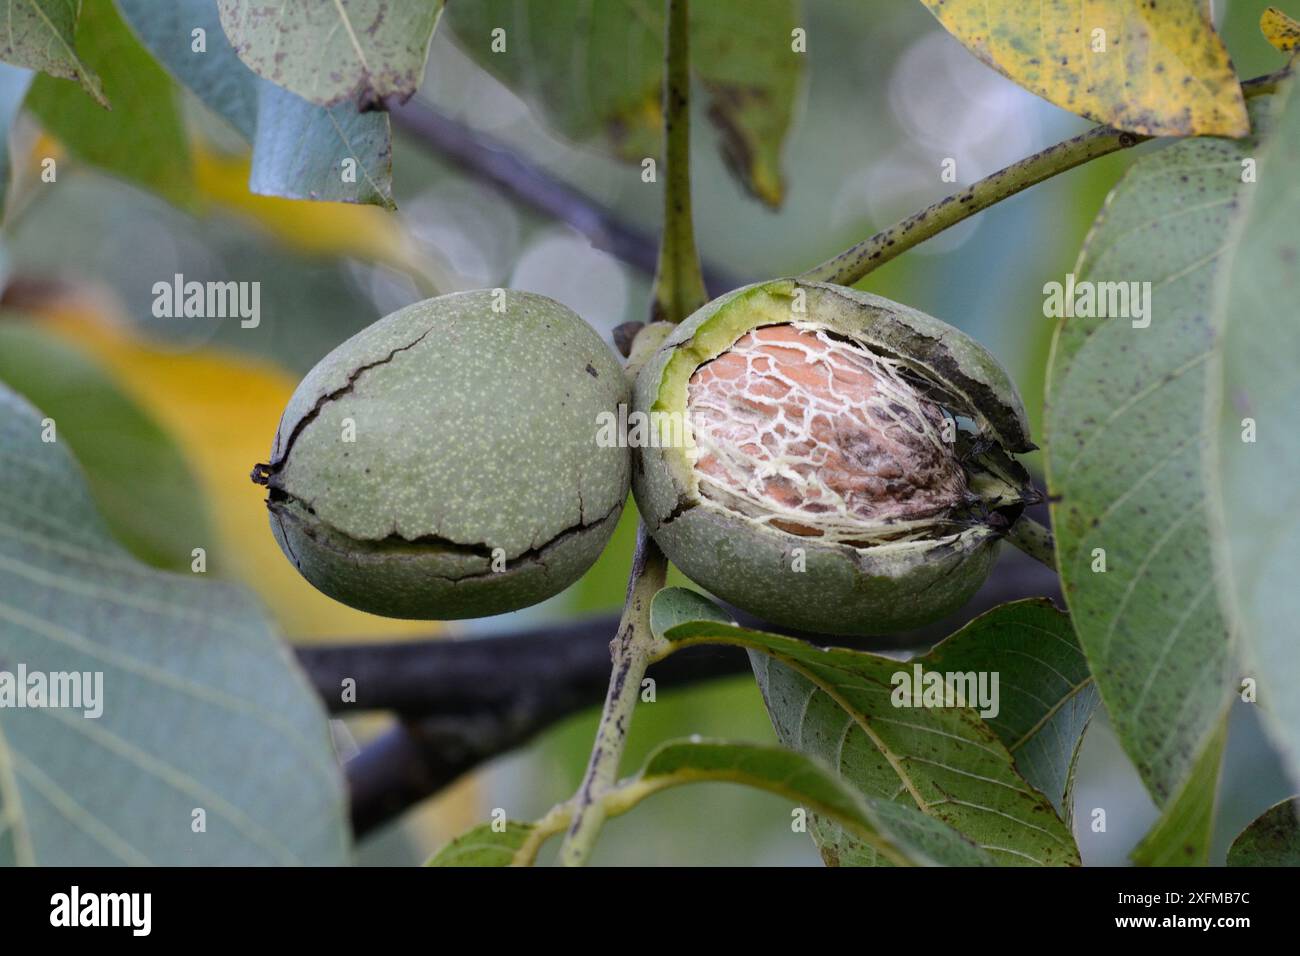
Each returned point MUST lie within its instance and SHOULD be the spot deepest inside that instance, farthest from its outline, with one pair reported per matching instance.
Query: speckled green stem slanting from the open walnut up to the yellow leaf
(866, 257)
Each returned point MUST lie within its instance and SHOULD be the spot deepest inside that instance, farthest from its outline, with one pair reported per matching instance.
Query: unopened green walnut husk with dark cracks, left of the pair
(474, 483)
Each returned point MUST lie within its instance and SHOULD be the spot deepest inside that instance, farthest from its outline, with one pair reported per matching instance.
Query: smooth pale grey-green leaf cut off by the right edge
(1255, 388)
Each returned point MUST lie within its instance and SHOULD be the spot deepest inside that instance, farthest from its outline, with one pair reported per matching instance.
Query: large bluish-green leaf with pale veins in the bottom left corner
(202, 707)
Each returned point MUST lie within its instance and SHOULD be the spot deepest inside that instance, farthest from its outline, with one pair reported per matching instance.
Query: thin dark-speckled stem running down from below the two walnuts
(634, 650)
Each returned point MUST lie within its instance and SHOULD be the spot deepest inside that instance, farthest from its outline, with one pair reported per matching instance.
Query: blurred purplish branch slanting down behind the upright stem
(496, 165)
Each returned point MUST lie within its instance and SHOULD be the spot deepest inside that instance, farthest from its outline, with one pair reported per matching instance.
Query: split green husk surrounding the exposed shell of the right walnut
(889, 577)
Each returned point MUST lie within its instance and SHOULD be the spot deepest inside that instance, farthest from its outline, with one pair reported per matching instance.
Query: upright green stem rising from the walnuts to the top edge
(679, 284)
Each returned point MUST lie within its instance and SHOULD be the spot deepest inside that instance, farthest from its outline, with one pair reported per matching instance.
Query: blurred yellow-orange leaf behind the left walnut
(223, 409)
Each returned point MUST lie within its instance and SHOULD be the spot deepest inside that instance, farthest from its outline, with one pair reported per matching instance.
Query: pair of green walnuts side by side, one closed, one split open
(820, 457)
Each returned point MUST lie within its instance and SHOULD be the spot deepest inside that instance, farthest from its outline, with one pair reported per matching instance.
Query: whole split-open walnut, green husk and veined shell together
(848, 466)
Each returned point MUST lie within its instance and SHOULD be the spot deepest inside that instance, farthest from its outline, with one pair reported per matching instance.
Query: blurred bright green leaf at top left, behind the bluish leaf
(142, 139)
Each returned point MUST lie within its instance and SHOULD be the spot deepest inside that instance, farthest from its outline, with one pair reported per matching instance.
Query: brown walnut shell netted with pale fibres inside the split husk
(818, 436)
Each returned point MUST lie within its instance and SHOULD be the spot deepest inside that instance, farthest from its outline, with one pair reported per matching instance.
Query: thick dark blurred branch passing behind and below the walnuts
(465, 702)
